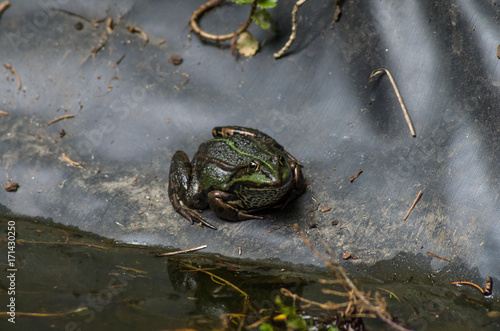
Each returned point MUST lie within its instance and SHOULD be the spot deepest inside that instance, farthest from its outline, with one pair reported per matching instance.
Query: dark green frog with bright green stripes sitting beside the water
(237, 173)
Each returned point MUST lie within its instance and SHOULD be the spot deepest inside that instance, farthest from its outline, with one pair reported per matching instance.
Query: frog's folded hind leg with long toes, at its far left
(183, 190)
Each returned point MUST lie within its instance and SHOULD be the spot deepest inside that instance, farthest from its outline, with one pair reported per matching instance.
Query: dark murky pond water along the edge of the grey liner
(77, 281)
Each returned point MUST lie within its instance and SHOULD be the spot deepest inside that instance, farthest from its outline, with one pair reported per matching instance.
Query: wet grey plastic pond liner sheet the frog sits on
(316, 101)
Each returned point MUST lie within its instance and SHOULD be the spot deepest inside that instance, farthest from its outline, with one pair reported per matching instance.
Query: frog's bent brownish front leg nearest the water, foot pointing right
(228, 206)
